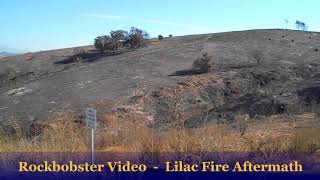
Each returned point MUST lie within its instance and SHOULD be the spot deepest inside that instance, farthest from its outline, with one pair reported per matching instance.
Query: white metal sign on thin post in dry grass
(91, 123)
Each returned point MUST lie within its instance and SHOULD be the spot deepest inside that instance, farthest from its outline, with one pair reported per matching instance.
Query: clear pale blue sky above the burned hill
(34, 25)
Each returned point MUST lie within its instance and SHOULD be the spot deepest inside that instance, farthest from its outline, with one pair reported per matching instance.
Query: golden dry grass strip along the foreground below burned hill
(264, 138)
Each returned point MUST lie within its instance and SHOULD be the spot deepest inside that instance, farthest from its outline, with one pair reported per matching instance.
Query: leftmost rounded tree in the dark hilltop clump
(103, 43)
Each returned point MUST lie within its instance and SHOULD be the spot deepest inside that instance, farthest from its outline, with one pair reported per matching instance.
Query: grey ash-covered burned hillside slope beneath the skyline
(33, 89)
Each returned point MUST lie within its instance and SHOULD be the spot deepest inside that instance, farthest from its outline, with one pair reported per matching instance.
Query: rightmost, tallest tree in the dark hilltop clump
(136, 38)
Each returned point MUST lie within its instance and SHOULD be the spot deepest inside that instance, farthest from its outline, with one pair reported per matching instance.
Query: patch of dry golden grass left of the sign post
(59, 136)
